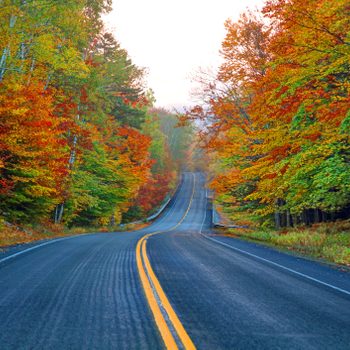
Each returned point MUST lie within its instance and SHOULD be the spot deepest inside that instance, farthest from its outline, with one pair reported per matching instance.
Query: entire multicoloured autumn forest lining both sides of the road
(82, 145)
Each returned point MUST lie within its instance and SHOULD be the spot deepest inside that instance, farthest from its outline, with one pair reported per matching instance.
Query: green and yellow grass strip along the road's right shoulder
(329, 241)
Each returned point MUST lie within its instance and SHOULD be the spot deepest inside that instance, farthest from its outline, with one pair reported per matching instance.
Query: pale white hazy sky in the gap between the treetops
(172, 39)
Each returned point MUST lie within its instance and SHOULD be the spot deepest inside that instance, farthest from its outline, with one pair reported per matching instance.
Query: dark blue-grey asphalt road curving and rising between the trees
(175, 282)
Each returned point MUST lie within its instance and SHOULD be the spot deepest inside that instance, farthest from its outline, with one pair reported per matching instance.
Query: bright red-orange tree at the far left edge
(33, 152)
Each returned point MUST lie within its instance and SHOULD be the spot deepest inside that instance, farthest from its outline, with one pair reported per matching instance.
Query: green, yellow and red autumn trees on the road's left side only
(80, 141)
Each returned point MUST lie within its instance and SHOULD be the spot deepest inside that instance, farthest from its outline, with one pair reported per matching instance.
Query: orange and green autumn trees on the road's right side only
(275, 117)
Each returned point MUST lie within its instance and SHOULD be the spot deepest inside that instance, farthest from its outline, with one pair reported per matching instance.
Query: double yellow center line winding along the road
(155, 294)
